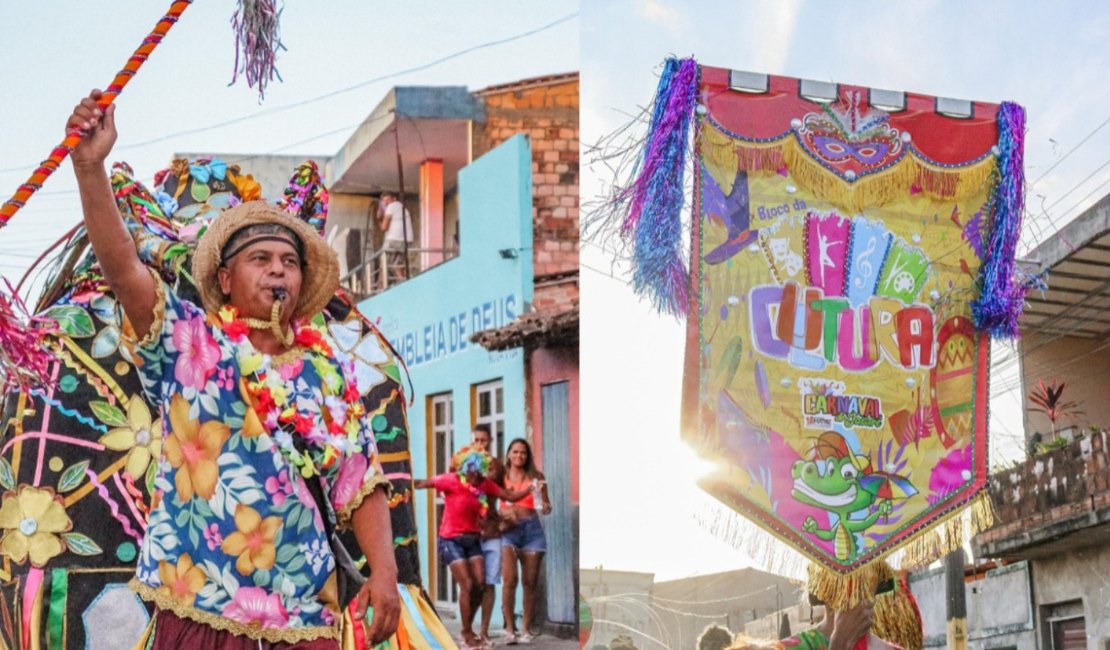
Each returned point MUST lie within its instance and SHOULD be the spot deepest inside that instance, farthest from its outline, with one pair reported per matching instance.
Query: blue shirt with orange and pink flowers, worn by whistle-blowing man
(235, 539)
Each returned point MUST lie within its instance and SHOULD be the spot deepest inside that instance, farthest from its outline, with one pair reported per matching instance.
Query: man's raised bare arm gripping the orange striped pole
(116, 251)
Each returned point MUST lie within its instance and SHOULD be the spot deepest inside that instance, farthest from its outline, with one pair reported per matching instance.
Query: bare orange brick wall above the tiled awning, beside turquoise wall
(548, 111)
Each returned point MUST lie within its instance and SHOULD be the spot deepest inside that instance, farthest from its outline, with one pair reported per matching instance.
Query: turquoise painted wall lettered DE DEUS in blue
(431, 318)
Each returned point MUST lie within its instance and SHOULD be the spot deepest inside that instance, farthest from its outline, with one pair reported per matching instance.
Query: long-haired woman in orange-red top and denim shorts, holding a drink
(523, 541)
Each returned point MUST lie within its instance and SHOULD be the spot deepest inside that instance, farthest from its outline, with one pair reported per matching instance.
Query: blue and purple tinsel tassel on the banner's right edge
(1003, 294)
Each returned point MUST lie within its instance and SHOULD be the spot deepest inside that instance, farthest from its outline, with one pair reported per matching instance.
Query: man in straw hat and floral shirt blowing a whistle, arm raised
(256, 403)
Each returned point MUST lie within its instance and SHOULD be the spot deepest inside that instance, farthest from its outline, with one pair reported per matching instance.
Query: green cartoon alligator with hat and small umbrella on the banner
(833, 480)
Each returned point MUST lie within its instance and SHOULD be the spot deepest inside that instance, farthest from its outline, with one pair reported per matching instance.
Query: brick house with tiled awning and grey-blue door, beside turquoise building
(547, 109)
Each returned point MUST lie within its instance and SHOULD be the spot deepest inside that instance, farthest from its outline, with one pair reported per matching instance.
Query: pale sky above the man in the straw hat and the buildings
(55, 53)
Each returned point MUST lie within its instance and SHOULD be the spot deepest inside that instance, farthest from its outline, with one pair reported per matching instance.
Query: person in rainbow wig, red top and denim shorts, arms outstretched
(467, 499)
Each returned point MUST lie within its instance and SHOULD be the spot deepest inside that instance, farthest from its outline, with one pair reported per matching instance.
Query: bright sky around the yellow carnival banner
(1051, 57)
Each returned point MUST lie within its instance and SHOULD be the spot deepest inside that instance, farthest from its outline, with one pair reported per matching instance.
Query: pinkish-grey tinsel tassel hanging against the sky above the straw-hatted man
(257, 43)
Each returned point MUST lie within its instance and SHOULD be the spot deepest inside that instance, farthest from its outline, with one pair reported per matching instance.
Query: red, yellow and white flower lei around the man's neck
(265, 388)
